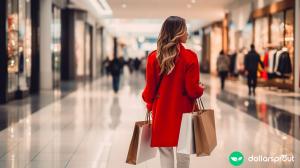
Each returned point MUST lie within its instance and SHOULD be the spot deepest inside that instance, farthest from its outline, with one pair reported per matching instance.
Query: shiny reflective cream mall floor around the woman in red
(91, 127)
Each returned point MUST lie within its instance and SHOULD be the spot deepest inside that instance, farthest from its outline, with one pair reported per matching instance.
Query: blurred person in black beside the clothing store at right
(251, 62)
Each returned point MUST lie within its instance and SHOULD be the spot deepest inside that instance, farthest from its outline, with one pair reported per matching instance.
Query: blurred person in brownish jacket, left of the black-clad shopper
(223, 63)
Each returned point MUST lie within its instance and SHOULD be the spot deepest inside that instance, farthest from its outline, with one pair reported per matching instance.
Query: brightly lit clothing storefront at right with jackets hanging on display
(274, 40)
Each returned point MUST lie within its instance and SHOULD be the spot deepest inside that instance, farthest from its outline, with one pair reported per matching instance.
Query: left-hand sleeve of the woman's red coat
(148, 93)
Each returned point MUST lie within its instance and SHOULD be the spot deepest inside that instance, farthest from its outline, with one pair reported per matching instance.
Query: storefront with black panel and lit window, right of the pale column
(77, 45)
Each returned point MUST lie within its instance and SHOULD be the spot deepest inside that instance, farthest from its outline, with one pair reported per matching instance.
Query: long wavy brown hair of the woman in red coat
(172, 29)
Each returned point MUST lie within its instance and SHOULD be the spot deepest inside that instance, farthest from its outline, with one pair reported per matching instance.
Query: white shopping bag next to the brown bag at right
(186, 140)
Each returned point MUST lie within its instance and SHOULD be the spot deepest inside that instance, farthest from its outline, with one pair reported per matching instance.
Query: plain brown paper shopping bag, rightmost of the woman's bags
(205, 131)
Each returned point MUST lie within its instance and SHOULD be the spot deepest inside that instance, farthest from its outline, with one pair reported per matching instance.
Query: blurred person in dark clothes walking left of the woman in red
(116, 66)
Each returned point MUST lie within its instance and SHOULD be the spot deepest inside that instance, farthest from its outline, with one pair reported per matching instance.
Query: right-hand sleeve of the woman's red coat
(192, 77)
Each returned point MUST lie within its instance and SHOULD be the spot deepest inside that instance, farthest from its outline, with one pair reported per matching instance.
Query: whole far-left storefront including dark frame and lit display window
(16, 49)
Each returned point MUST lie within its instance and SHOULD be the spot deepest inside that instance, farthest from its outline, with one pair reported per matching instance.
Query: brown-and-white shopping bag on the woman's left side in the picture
(140, 149)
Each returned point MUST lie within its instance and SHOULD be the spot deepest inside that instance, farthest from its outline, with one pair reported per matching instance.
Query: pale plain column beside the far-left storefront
(46, 78)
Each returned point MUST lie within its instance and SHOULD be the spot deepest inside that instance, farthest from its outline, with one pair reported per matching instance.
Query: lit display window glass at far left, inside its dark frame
(19, 44)
